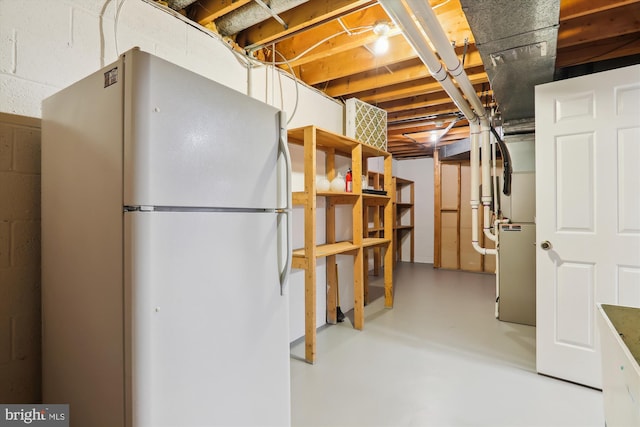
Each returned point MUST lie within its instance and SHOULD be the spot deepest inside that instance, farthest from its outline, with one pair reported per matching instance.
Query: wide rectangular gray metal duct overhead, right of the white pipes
(517, 42)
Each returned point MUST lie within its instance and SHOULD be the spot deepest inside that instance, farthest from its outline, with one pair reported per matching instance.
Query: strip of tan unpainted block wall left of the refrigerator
(19, 259)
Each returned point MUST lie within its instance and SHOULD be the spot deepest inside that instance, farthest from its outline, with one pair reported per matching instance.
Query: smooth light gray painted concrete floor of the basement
(438, 358)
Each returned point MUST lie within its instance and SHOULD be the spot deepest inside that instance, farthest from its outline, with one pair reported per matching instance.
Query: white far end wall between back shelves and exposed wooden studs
(421, 172)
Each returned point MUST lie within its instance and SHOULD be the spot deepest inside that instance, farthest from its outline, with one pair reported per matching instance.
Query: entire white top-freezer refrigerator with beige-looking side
(165, 251)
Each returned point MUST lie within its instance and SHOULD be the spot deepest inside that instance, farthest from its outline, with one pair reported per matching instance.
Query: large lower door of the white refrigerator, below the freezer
(206, 328)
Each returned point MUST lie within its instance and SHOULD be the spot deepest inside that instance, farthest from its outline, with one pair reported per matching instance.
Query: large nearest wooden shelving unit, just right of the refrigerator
(314, 139)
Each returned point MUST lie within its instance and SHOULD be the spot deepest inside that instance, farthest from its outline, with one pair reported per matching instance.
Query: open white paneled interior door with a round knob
(588, 210)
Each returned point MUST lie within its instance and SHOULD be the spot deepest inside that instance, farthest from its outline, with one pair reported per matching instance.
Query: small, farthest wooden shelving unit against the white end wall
(403, 205)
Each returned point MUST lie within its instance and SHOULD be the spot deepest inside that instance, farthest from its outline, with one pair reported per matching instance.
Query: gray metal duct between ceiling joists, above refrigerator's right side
(251, 14)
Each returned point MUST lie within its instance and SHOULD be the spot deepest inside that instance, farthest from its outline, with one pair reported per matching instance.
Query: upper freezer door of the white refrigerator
(190, 141)
